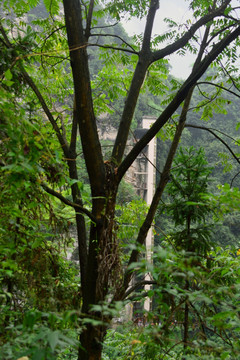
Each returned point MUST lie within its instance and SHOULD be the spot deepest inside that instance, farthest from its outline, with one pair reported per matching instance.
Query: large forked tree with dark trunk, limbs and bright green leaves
(36, 72)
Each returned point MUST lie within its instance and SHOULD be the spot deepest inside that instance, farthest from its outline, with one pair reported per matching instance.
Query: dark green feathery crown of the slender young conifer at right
(189, 205)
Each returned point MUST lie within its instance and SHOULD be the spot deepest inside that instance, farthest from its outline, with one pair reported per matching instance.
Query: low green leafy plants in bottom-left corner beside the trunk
(41, 336)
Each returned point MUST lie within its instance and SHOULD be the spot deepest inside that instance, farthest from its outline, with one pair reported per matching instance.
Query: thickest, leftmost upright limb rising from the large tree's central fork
(83, 96)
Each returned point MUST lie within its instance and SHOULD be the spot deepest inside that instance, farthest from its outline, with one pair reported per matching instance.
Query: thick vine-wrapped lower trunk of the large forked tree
(103, 261)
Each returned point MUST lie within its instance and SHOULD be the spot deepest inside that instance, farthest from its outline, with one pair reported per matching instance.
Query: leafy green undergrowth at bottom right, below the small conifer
(214, 306)
